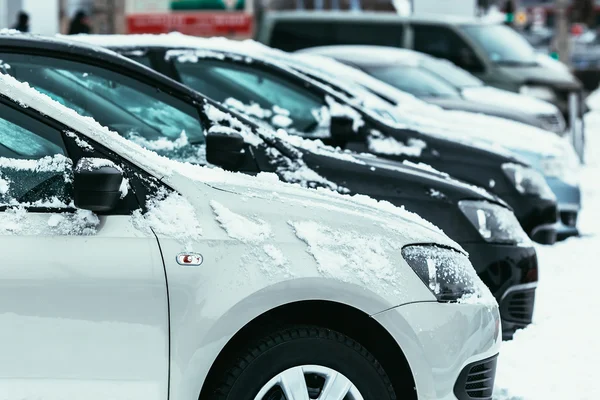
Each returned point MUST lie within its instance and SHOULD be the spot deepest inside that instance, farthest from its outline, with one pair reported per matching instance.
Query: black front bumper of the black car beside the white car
(505, 269)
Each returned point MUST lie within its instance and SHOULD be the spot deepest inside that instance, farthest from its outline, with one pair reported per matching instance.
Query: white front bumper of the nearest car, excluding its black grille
(439, 340)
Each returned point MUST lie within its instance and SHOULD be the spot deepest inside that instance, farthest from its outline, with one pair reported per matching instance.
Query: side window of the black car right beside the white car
(138, 111)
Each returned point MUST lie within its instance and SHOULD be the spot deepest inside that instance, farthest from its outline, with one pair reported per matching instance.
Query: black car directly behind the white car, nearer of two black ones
(152, 109)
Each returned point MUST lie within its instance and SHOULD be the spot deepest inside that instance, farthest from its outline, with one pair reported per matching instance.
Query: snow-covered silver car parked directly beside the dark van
(442, 83)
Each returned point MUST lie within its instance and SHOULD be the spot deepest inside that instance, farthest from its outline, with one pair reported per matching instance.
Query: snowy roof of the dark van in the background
(372, 16)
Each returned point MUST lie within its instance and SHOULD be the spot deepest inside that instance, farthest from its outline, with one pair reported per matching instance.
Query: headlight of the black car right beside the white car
(496, 224)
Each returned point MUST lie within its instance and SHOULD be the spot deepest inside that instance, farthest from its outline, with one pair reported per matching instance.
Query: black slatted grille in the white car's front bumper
(476, 381)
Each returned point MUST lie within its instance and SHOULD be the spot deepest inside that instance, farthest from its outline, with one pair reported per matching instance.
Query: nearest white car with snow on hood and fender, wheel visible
(127, 276)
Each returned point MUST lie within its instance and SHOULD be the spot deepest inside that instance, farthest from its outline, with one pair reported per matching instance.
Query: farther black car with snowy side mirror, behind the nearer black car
(259, 84)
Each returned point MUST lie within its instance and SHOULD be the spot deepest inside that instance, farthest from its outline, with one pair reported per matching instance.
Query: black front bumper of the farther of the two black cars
(537, 216)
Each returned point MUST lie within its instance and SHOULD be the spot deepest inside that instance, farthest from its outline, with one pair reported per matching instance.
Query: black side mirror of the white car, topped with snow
(96, 184)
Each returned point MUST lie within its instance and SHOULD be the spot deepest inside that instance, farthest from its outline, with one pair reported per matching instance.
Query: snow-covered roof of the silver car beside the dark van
(365, 55)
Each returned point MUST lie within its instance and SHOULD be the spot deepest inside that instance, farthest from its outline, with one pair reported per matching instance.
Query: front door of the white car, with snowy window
(83, 297)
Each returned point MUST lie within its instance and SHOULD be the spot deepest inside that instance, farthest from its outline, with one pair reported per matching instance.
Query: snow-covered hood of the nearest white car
(265, 198)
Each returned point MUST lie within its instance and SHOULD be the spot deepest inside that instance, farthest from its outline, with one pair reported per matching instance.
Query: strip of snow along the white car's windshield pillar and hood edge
(162, 167)
